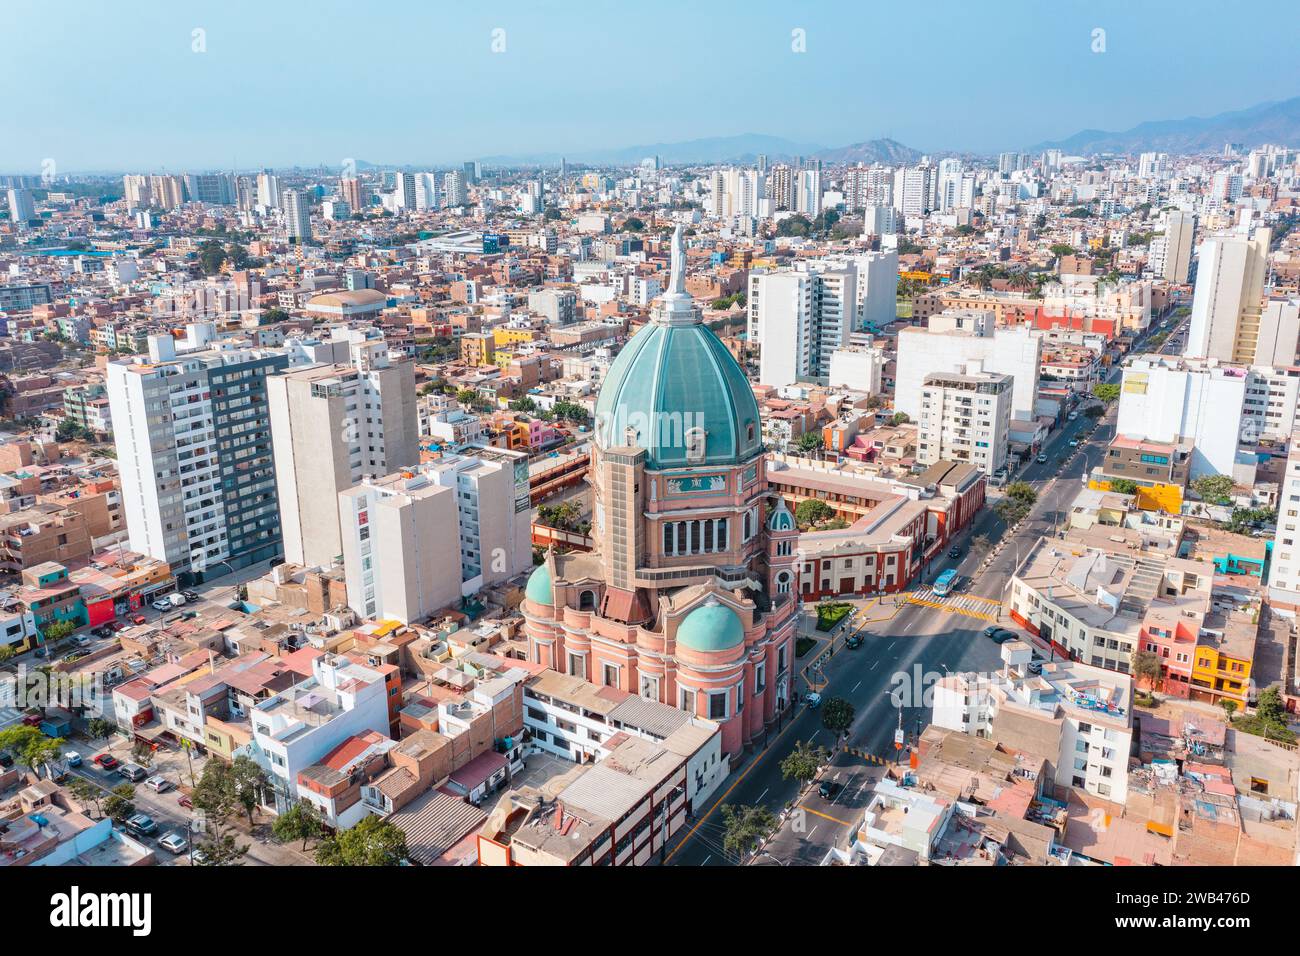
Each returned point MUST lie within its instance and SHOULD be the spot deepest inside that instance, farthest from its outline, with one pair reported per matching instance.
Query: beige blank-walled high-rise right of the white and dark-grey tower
(332, 426)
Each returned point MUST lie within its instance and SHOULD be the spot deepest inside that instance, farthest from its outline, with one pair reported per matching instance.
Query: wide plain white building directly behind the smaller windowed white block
(957, 338)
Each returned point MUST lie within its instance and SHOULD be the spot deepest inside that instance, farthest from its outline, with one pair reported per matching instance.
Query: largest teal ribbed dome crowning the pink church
(669, 379)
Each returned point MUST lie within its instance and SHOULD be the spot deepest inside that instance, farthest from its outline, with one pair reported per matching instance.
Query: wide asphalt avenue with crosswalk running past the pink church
(905, 647)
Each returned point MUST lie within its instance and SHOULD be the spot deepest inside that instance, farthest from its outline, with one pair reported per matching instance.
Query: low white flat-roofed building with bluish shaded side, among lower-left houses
(298, 728)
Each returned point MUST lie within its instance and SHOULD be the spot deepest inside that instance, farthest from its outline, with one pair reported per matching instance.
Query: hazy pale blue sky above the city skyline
(98, 85)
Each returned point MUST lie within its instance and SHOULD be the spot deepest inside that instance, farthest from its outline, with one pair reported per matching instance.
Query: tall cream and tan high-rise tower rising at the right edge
(1228, 301)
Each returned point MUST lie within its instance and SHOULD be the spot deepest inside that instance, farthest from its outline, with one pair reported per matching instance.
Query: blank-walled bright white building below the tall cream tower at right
(1171, 400)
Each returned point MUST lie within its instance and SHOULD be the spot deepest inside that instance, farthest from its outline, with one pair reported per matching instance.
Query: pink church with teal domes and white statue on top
(691, 595)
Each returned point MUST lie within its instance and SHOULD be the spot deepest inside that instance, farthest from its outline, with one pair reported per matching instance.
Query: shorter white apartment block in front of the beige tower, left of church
(400, 531)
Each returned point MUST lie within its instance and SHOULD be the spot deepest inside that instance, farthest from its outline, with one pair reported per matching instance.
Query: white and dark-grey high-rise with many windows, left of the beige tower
(194, 452)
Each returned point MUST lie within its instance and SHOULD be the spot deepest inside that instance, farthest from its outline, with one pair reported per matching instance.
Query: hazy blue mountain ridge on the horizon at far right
(1267, 123)
